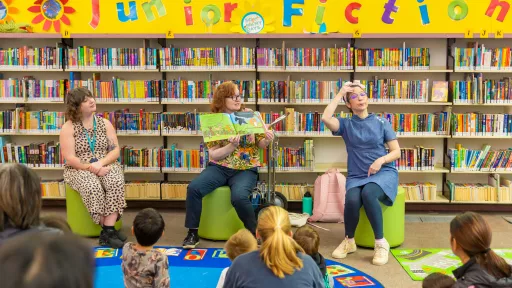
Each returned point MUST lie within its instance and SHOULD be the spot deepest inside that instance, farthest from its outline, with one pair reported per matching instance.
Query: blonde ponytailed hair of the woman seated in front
(279, 250)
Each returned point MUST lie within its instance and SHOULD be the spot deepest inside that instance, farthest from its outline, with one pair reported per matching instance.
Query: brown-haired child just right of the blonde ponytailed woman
(309, 240)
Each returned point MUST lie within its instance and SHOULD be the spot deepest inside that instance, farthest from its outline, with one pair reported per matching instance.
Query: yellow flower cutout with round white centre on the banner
(252, 18)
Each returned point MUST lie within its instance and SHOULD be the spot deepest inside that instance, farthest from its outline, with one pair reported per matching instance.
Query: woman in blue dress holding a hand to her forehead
(371, 177)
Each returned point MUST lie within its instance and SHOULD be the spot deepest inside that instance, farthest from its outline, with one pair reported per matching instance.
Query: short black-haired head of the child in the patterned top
(148, 227)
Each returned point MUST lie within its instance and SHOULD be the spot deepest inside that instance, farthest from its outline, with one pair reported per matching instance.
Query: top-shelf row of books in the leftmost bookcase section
(31, 58)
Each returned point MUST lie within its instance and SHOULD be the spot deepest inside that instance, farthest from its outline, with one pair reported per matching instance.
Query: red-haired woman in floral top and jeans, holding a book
(233, 163)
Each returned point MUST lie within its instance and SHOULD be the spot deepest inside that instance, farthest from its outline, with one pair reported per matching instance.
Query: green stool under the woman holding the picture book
(219, 219)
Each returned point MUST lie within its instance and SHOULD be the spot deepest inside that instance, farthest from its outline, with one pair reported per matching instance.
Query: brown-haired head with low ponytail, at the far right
(471, 237)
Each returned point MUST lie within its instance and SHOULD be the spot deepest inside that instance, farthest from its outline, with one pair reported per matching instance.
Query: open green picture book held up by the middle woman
(220, 126)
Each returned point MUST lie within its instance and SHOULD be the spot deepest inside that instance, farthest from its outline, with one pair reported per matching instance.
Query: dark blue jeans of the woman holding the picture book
(241, 182)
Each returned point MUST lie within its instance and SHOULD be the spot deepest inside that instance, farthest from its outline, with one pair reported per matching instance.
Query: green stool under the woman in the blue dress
(394, 222)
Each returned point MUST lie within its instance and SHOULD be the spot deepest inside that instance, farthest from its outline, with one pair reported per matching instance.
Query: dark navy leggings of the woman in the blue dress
(368, 196)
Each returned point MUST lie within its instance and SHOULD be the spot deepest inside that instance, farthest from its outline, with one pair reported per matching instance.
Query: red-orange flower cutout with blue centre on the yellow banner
(51, 11)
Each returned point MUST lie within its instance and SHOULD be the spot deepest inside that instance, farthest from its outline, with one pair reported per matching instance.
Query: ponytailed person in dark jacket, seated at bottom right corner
(471, 240)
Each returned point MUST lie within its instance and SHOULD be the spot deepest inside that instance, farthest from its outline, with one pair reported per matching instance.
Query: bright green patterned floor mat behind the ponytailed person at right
(419, 263)
